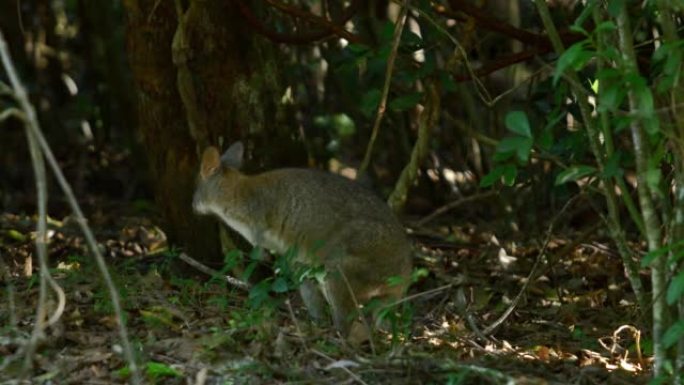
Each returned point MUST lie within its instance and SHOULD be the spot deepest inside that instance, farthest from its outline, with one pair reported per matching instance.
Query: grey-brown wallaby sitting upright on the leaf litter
(330, 221)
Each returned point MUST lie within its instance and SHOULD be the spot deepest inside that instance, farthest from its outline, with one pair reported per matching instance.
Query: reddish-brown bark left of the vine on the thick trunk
(171, 151)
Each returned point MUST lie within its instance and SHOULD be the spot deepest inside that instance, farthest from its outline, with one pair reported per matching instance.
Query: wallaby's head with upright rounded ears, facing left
(217, 177)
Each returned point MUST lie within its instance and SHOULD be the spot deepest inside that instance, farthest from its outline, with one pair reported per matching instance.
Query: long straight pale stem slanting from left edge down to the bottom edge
(34, 127)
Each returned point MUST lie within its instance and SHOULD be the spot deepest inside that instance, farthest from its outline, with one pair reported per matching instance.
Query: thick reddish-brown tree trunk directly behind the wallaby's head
(203, 78)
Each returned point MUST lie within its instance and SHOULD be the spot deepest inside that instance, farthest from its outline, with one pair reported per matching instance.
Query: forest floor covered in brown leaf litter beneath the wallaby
(574, 323)
